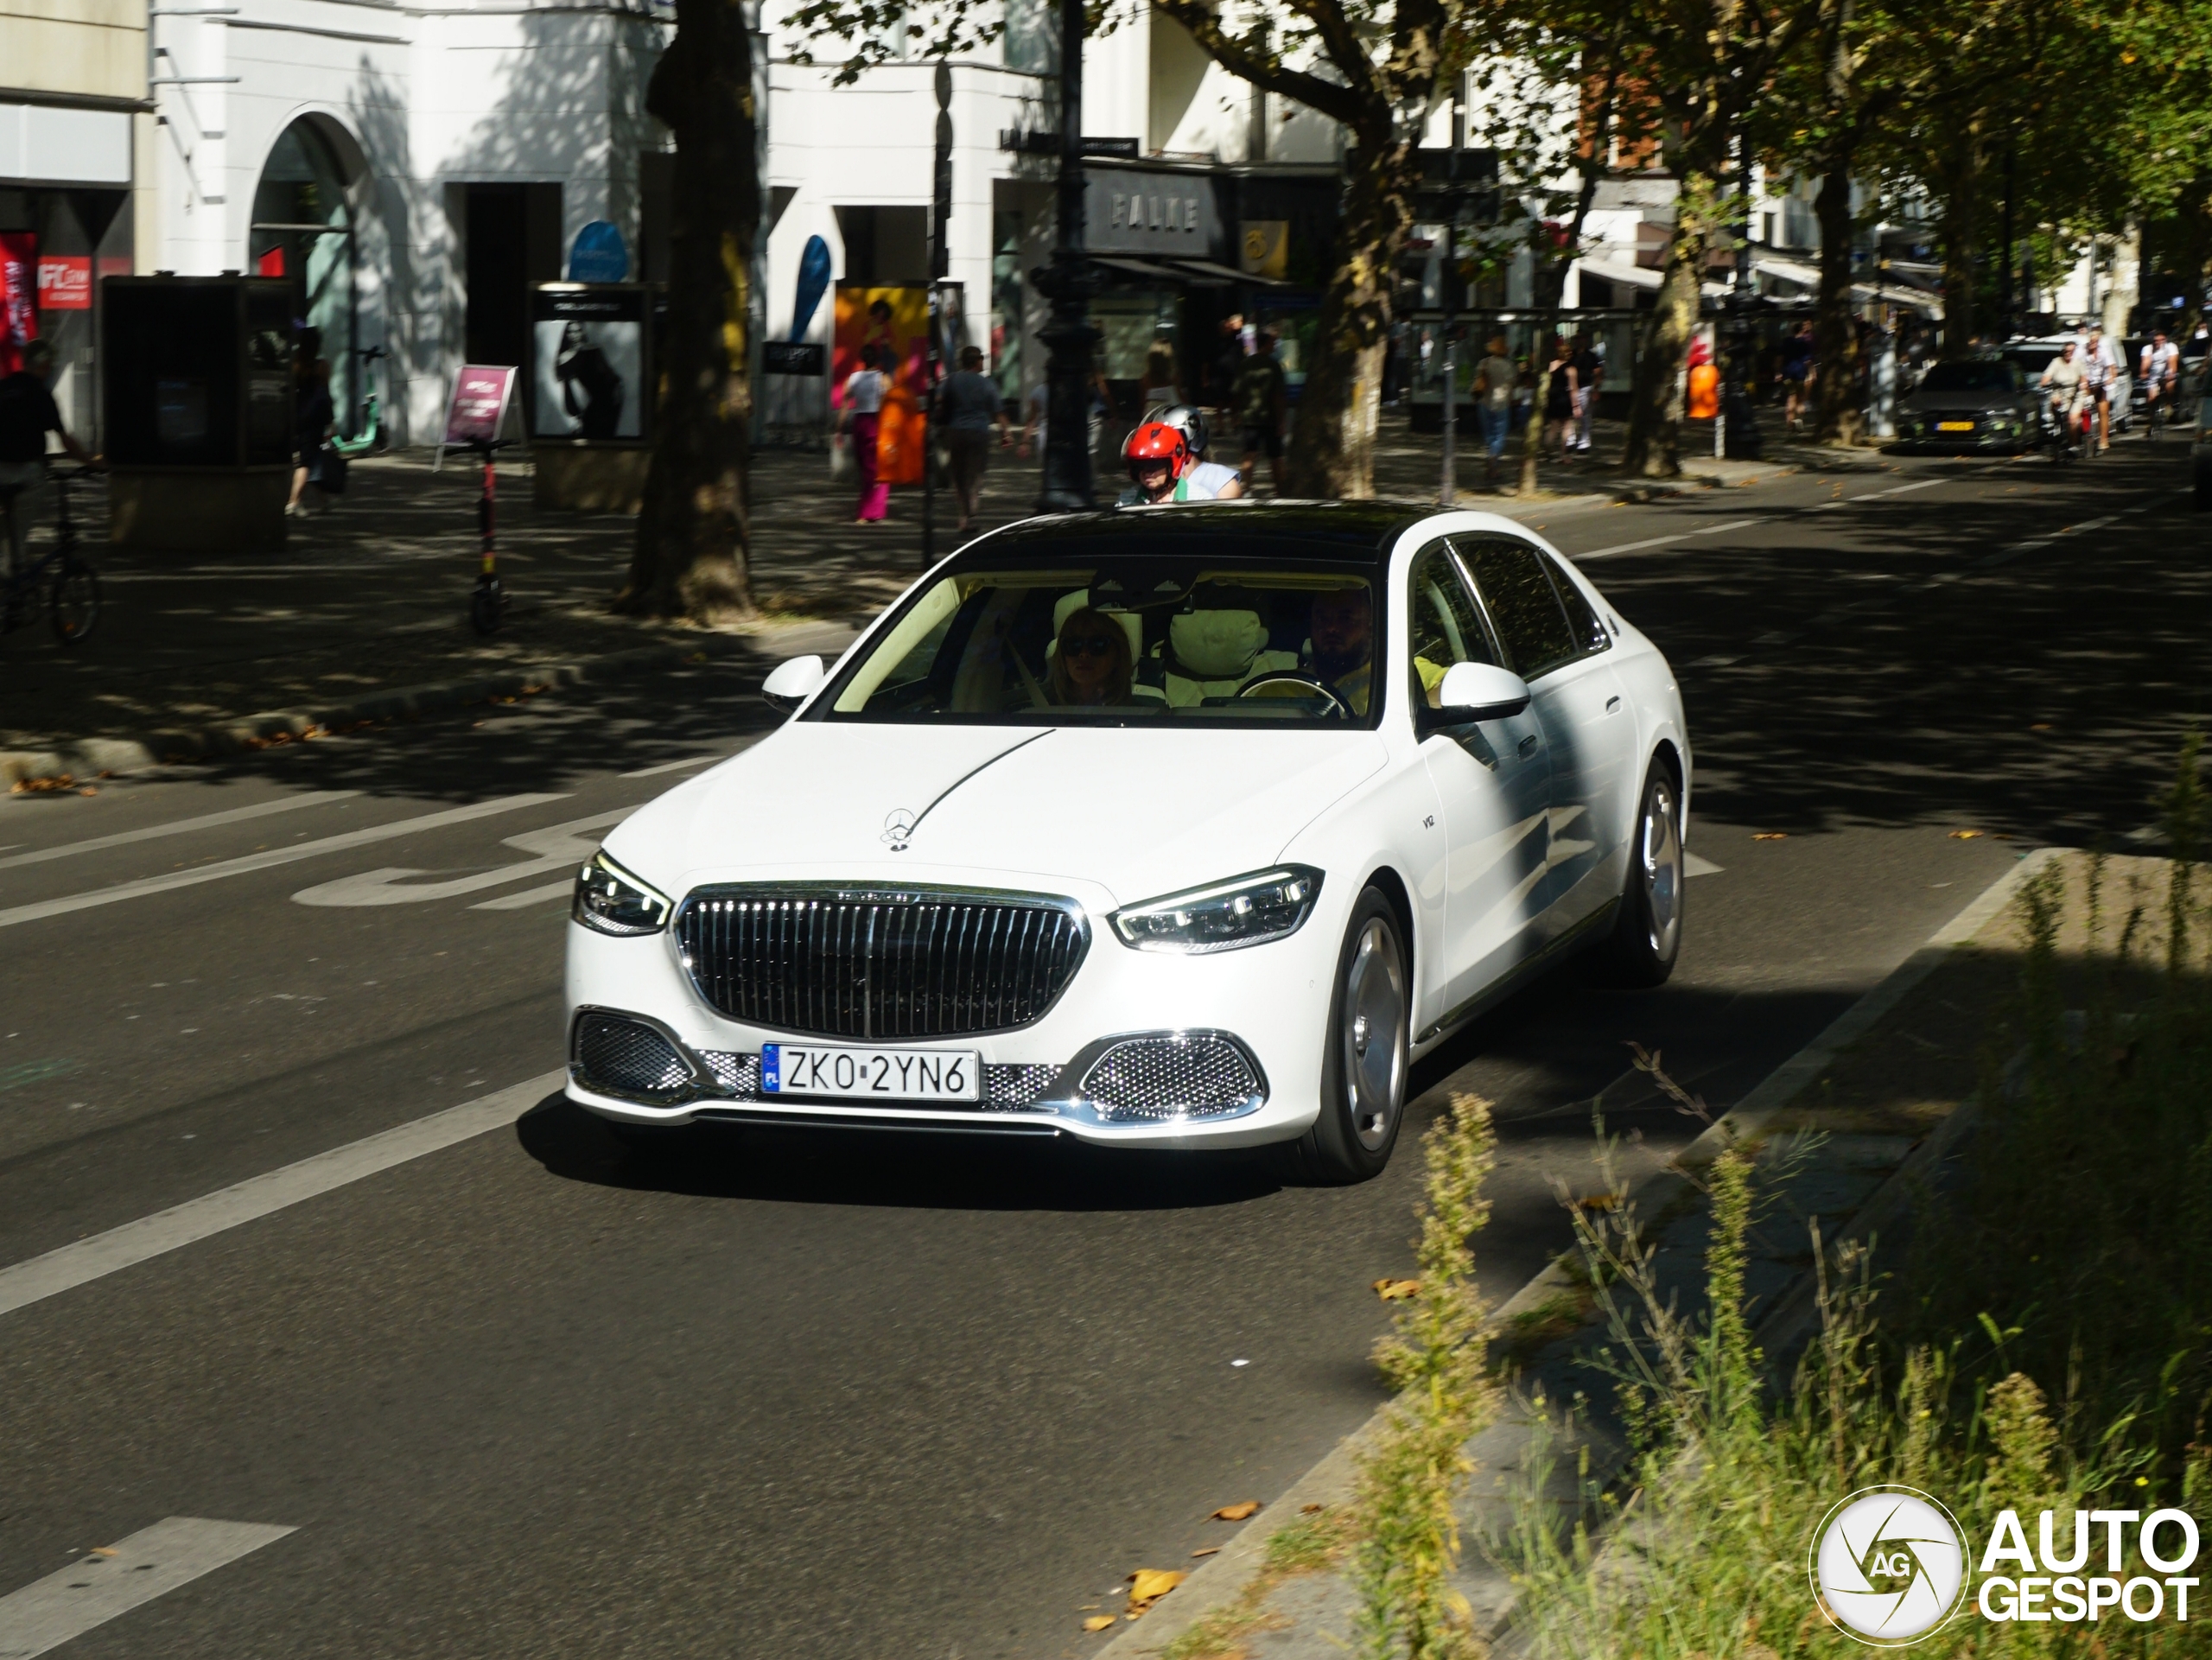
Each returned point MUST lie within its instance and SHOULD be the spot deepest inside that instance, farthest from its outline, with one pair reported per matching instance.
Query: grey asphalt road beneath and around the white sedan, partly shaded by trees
(879, 1398)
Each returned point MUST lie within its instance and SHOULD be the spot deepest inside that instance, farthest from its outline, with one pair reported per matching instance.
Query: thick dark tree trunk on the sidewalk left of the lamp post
(693, 537)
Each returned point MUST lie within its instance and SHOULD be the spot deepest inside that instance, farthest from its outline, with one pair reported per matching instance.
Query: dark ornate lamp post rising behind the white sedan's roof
(1070, 284)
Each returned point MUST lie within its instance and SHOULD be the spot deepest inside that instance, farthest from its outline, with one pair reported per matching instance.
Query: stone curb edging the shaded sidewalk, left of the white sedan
(116, 756)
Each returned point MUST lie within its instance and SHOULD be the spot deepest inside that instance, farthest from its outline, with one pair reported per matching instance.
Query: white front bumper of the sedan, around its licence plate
(1114, 1061)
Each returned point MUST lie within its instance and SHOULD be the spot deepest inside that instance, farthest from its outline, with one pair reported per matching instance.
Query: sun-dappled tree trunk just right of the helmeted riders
(1333, 446)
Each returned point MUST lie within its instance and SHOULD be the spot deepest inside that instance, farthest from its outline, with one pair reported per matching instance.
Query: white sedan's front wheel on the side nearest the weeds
(1364, 1061)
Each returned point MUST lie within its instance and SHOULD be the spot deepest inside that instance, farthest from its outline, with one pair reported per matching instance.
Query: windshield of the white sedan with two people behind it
(1123, 643)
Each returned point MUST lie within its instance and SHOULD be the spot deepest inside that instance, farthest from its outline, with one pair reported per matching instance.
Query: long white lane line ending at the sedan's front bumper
(134, 1243)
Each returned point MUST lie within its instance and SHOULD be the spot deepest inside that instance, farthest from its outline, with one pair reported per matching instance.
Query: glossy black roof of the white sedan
(1218, 530)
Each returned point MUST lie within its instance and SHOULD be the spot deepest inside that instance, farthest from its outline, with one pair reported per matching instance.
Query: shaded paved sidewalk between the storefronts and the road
(371, 599)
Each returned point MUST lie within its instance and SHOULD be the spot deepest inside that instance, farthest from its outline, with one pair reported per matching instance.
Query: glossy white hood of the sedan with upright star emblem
(1136, 811)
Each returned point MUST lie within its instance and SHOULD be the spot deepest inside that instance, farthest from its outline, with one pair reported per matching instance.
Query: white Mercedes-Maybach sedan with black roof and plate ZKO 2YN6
(1173, 827)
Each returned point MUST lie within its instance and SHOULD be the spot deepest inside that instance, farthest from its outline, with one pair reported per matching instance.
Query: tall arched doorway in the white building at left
(304, 229)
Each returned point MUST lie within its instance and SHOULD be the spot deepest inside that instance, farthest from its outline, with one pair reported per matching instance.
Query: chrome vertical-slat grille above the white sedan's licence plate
(908, 964)
